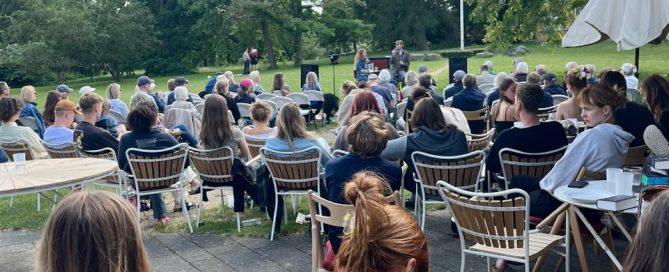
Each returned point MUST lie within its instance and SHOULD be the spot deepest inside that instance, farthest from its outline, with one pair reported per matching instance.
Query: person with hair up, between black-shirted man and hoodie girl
(575, 81)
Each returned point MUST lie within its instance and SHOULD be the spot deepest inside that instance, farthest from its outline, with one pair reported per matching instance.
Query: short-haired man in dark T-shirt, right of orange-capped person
(87, 135)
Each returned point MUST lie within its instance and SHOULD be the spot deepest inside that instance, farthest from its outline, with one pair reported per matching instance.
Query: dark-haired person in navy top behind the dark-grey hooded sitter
(470, 99)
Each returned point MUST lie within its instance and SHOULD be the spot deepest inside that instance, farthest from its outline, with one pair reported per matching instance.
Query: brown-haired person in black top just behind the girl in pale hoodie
(632, 118)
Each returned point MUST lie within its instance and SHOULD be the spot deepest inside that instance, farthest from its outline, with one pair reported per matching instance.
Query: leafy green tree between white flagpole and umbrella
(507, 21)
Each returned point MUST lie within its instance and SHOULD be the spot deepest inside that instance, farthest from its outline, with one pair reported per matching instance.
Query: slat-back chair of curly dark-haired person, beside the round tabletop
(156, 171)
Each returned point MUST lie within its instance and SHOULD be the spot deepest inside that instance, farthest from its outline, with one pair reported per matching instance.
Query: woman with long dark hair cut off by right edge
(655, 92)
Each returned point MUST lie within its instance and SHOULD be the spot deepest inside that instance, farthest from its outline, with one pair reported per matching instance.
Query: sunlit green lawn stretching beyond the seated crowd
(603, 55)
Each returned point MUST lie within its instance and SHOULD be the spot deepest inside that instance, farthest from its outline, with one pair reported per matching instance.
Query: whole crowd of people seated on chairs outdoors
(376, 139)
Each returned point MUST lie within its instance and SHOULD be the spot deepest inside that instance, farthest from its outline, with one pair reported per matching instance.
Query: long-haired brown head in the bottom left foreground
(92, 231)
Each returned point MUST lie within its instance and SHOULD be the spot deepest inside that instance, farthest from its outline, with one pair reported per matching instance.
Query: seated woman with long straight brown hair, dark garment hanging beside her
(217, 131)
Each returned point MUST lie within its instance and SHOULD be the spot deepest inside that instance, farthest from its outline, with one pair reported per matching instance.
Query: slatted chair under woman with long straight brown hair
(215, 169)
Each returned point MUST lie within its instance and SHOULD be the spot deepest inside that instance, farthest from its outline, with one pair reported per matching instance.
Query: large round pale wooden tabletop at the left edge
(47, 174)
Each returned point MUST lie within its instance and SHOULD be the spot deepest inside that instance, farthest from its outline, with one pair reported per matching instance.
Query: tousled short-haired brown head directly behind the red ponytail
(367, 134)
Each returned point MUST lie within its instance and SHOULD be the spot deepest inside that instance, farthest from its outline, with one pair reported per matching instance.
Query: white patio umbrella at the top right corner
(629, 23)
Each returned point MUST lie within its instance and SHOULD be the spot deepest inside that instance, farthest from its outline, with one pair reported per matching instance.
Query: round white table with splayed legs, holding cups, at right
(574, 214)
